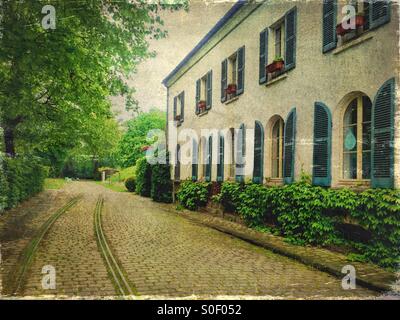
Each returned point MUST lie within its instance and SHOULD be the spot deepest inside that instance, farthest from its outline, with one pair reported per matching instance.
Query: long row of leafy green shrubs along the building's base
(306, 214)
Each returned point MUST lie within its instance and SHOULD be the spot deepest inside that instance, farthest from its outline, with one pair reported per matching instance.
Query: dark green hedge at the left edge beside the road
(20, 178)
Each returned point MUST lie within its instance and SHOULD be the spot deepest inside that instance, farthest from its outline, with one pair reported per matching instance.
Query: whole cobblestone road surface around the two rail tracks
(162, 254)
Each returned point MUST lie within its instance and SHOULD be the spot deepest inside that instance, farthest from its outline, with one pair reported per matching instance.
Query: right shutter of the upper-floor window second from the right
(290, 38)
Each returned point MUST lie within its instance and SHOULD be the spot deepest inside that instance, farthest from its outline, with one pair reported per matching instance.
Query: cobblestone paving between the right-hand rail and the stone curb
(168, 255)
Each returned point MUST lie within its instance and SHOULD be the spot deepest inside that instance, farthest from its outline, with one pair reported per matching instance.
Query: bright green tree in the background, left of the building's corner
(130, 148)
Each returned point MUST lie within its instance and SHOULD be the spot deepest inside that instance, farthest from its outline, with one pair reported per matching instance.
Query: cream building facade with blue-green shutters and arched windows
(278, 88)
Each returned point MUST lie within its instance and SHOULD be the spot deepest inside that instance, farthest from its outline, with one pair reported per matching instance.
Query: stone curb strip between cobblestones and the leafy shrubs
(368, 275)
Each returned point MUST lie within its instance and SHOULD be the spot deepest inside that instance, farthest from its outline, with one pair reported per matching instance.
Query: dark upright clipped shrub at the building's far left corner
(161, 184)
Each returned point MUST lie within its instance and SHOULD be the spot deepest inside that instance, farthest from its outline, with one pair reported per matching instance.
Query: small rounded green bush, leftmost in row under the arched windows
(193, 195)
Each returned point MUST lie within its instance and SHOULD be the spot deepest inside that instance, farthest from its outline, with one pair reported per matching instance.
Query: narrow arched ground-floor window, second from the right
(277, 149)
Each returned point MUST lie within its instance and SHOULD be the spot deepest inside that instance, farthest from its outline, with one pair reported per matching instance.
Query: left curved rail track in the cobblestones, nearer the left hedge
(28, 253)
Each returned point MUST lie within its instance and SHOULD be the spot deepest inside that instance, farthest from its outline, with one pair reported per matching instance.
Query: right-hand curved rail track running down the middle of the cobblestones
(116, 271)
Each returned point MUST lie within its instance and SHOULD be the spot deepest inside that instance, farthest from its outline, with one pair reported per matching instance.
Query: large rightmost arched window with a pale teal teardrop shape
(357, 139)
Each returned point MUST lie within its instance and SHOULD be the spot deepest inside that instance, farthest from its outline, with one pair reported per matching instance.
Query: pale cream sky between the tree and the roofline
(185, 30)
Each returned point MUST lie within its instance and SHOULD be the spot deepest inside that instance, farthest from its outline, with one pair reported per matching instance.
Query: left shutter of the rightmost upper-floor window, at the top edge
(329, 16)
